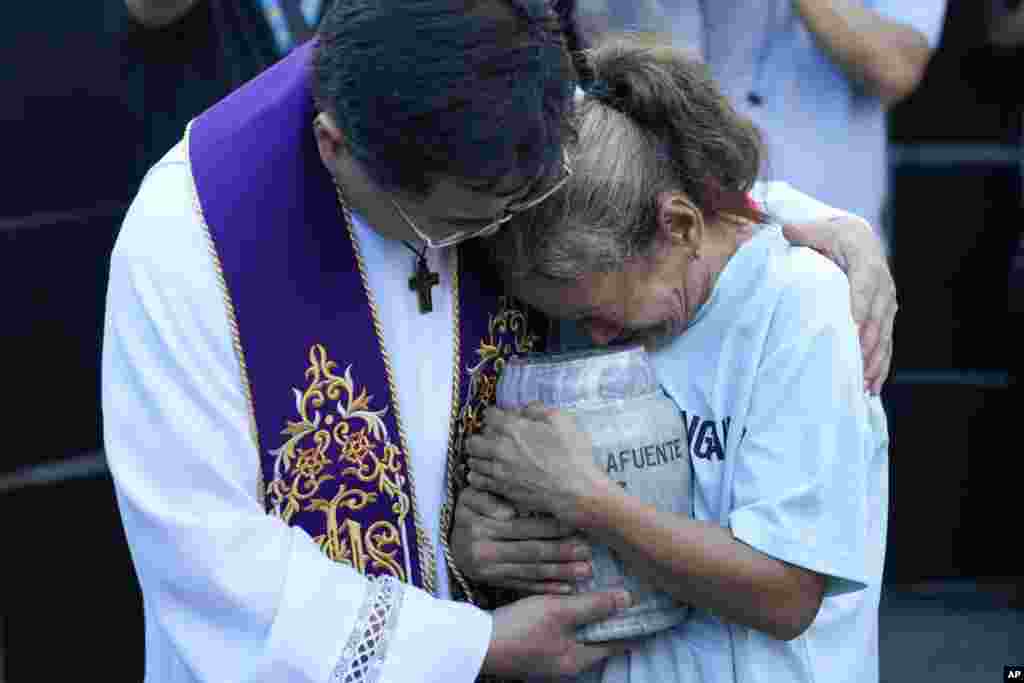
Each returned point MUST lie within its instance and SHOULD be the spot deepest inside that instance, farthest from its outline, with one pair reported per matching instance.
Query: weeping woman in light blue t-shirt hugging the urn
(655, 240)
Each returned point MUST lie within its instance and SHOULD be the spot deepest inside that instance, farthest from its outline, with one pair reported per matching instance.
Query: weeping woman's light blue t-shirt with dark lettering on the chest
(791, 454)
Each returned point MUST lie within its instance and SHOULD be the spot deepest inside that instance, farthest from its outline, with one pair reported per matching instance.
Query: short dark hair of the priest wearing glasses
(475, 90)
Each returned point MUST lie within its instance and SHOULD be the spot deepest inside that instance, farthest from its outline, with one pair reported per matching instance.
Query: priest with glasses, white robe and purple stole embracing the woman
(295, 351)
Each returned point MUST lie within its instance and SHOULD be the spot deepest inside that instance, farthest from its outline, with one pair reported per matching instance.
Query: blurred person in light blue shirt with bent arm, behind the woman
(816, 76)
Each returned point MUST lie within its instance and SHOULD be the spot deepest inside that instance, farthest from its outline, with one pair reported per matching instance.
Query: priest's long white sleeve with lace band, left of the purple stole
(230, 592)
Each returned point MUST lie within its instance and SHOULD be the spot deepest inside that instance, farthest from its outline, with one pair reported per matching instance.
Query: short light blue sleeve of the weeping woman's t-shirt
(801, 481)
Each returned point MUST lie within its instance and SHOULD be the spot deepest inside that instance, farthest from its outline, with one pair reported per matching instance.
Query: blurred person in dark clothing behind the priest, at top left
(190, 54)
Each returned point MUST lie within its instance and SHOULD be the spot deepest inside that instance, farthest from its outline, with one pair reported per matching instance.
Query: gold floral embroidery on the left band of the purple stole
(338, 458)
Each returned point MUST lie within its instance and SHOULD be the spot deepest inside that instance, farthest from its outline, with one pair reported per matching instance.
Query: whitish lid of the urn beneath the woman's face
(577, 378)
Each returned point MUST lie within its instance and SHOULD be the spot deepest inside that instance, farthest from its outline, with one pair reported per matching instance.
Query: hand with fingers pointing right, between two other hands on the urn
(493, 546)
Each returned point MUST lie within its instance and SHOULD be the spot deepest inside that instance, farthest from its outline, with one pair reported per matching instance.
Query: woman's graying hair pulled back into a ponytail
(653, 121)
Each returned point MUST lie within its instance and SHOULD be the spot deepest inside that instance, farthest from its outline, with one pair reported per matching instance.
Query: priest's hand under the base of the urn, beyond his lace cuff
(536, 637)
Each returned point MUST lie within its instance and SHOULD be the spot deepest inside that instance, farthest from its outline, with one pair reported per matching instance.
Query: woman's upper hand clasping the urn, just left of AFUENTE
(538, 459)
